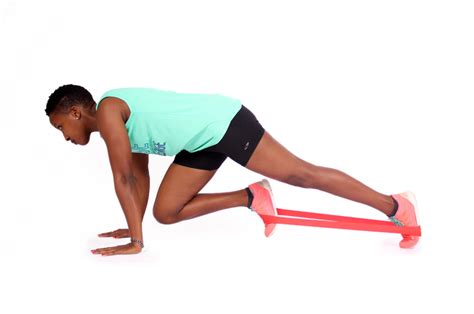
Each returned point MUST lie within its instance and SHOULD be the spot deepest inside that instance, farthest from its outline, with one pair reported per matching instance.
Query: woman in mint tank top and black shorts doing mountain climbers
(201, 131)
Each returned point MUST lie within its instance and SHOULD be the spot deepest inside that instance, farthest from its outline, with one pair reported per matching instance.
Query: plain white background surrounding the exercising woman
(381, 90)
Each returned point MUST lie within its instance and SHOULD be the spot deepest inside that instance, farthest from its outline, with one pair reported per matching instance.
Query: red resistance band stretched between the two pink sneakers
(338, 222)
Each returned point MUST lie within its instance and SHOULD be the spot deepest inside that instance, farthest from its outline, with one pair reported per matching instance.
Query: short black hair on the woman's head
(67, 95)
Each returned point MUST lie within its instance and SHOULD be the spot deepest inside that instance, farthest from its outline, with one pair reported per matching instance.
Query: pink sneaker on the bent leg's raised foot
(263, 202)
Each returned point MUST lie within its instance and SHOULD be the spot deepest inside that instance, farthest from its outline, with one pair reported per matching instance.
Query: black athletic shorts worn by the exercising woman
(239, 142)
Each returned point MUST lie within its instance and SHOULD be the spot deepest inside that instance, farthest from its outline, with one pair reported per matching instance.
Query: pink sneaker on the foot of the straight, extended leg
(406, 216)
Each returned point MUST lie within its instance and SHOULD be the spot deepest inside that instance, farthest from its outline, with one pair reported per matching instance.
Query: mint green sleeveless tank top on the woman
(166, 122)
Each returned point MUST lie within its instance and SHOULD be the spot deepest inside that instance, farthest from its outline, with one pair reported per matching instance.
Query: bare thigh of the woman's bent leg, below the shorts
(179, 185)
